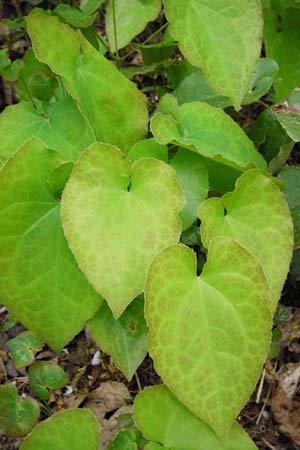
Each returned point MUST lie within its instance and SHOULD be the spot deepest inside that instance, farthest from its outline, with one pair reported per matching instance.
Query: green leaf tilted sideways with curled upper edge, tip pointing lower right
(206, 130)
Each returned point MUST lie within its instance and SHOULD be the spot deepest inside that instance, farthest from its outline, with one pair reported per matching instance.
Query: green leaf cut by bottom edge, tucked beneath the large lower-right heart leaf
(162, 418)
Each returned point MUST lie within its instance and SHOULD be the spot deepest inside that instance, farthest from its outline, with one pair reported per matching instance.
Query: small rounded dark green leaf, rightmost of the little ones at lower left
(45, 375)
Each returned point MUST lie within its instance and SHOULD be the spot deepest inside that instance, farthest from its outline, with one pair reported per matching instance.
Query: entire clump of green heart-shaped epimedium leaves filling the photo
(93, 207)
